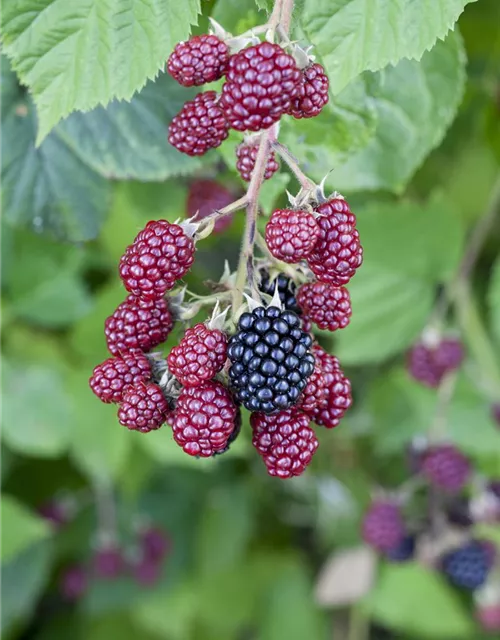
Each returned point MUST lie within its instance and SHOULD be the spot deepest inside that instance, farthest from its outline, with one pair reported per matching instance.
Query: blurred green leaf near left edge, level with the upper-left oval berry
(52, 294)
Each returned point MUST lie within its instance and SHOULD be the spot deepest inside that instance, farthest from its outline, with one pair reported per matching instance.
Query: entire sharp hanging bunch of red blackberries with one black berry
(264, 359)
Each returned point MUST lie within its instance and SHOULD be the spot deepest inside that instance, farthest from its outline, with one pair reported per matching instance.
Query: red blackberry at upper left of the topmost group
(200, 60)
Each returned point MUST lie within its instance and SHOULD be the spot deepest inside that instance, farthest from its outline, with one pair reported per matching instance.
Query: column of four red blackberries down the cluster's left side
(161, 254)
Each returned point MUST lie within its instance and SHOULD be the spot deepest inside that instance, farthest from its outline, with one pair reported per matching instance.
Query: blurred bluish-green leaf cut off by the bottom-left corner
(22, 581)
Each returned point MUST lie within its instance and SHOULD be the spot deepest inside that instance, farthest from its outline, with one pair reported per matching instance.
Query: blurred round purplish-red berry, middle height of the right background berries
(446, 468)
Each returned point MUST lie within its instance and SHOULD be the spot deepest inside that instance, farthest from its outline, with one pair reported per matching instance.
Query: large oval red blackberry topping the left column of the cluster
(160, 255)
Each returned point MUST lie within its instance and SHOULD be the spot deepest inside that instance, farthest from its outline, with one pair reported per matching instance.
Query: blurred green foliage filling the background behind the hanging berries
(415, 148)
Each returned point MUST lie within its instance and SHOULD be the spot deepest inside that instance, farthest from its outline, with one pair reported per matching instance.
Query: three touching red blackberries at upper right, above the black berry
(327, 238)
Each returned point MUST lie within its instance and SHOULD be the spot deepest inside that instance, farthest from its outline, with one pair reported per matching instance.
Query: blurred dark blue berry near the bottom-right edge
(468, 566)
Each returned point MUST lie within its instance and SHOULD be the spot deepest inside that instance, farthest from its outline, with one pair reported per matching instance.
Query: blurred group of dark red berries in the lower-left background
(143, 562)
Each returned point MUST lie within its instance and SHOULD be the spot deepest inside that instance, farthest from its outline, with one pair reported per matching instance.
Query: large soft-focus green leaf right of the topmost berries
(388, 122)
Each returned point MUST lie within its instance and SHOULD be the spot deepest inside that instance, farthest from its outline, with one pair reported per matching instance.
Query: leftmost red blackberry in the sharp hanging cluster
(111, 378)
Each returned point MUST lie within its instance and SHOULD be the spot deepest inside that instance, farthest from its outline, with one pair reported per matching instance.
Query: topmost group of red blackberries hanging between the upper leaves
(262, 83)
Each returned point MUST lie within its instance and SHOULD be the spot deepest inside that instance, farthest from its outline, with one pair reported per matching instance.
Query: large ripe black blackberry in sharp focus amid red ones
(271, 359)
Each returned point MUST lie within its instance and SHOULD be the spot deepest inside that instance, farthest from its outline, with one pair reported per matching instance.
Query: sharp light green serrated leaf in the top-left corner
(76, 56)
